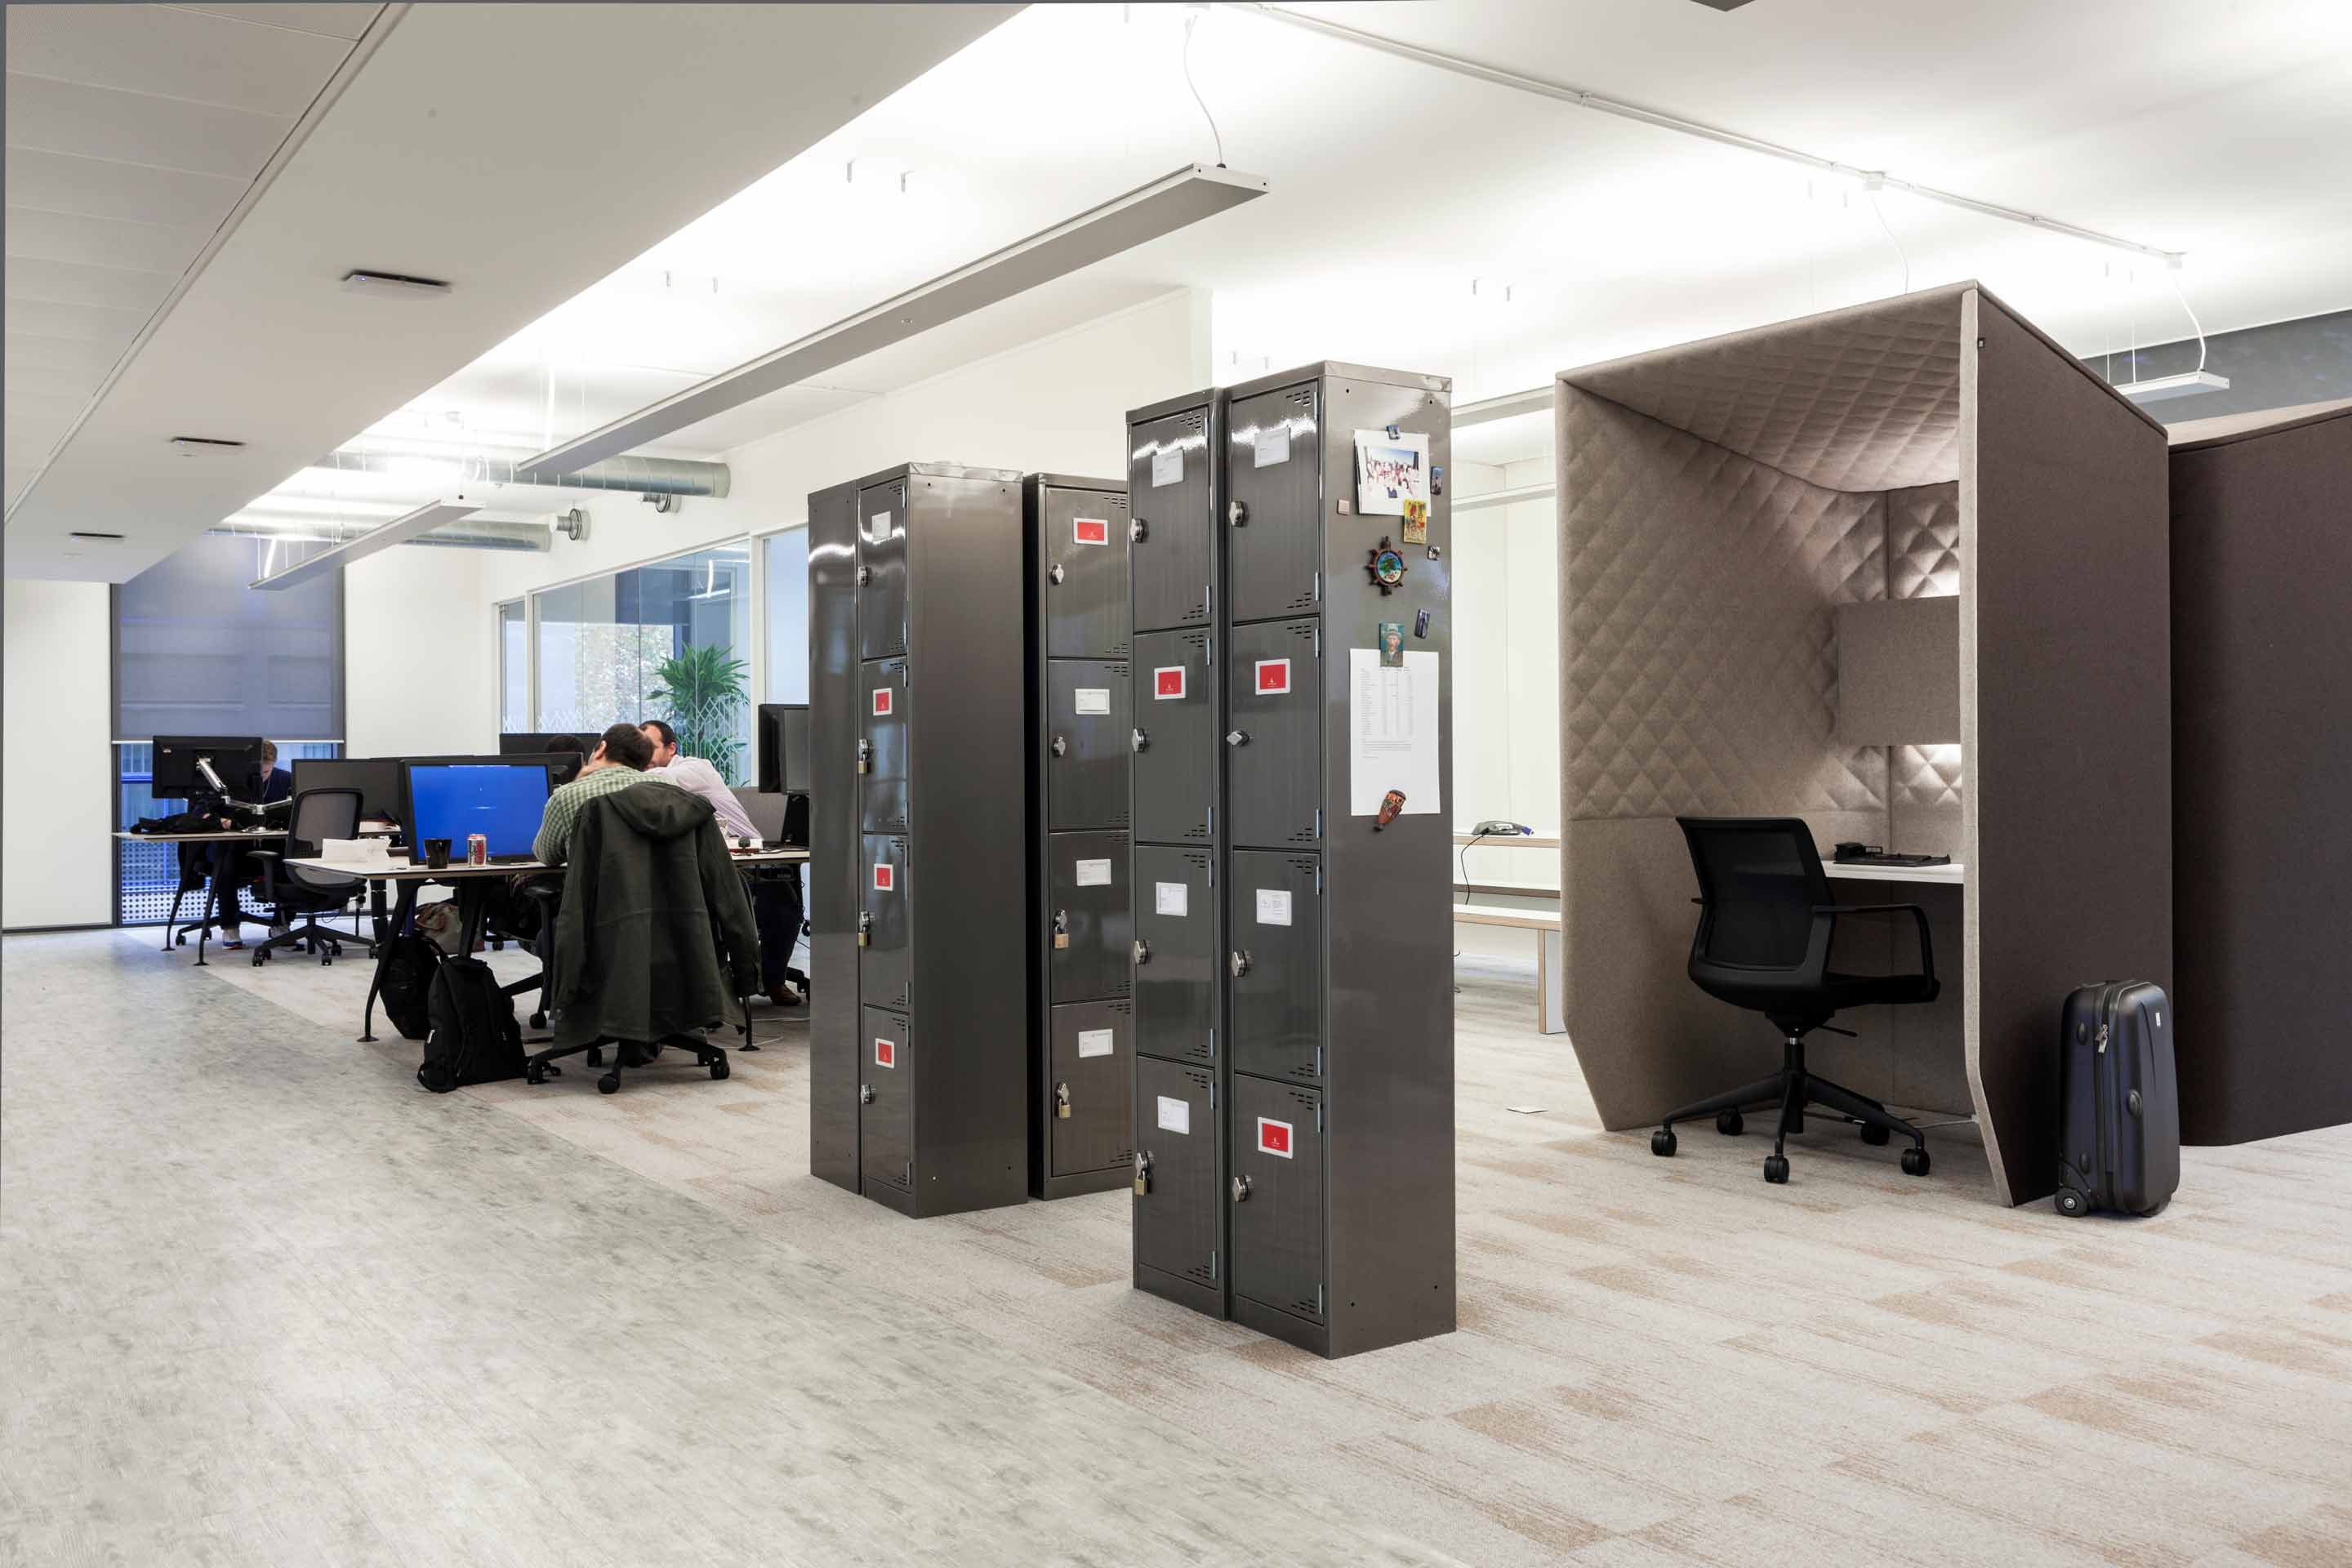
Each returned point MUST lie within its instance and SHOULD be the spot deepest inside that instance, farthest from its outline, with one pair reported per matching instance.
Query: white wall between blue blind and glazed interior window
(415, 636)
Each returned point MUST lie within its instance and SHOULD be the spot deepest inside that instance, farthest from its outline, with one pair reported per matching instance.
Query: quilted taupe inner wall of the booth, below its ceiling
(1699, 645)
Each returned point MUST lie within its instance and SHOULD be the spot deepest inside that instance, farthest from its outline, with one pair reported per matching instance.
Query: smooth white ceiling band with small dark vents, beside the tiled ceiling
(521, 152)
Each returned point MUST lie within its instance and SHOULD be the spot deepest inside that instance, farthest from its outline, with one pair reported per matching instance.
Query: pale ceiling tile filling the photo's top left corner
(178, 55)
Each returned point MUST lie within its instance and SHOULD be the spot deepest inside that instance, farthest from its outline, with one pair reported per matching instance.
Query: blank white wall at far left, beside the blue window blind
(58, 786)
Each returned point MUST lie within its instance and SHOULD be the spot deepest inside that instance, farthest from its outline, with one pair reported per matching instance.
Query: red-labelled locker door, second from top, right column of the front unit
(1274, 746)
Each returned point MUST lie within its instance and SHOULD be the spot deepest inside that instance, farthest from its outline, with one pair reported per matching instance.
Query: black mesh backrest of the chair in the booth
(1758, 885)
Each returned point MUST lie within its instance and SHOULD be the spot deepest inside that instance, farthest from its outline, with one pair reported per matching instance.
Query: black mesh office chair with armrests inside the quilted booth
(1765, 934)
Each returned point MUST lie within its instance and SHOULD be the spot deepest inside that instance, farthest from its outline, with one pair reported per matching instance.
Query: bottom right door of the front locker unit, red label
(1276, 1193)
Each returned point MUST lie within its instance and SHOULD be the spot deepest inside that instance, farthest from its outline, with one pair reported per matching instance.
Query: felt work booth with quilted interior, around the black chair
(1718, 504)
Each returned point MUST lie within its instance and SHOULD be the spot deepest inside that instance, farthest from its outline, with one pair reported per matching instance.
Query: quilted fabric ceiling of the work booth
(1864, 398)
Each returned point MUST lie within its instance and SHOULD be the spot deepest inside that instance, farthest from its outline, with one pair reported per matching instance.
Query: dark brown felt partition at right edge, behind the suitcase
(2261, 770)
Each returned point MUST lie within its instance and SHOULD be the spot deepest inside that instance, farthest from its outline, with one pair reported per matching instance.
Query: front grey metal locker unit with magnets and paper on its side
(1323, 1071)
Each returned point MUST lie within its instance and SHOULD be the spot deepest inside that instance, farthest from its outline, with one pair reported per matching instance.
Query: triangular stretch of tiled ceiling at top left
(133, 133)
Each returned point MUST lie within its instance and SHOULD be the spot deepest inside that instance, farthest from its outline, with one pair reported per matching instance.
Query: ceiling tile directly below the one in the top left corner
(140, 128)
